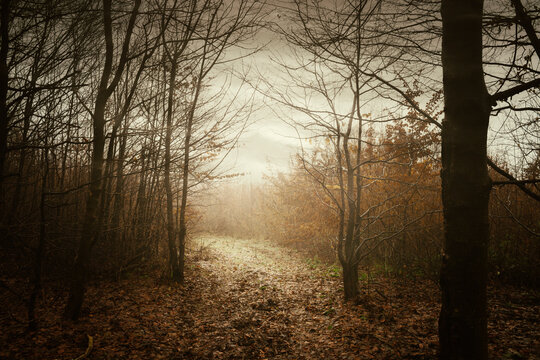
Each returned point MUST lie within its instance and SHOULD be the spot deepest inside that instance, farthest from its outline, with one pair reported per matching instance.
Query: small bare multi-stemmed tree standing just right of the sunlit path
(339, 57)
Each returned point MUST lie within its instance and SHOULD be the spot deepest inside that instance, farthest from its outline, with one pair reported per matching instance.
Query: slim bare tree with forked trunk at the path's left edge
(197, 44)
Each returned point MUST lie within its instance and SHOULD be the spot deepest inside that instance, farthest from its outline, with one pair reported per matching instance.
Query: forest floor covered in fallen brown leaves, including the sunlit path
(248, 299)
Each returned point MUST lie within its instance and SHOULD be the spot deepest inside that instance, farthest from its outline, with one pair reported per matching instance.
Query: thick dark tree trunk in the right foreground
(465, 184)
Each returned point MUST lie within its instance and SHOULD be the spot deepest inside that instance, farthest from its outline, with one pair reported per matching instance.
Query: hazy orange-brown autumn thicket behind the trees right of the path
(401, 207)
